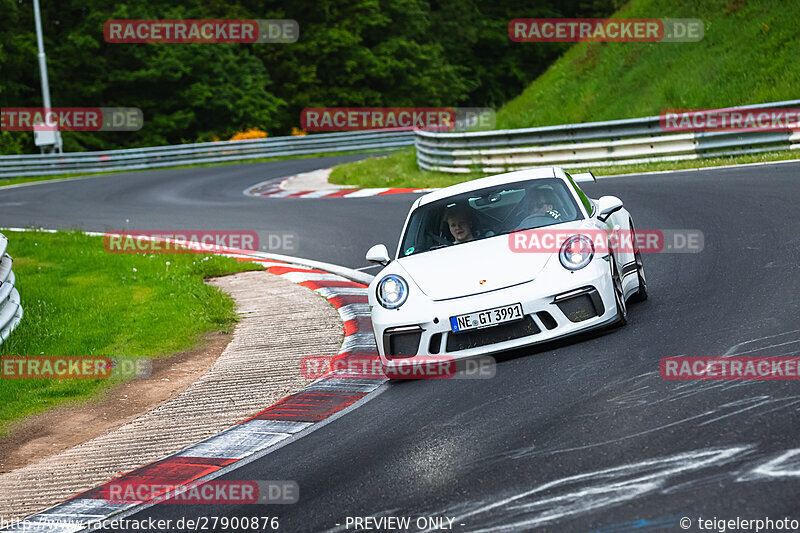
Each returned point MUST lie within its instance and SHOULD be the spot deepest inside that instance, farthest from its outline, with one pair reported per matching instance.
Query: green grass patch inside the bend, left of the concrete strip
(80, 300)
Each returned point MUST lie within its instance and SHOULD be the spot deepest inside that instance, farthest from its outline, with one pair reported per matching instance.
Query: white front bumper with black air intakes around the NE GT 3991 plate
(558, 306)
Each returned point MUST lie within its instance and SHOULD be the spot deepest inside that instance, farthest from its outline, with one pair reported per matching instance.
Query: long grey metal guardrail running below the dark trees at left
(183, 154)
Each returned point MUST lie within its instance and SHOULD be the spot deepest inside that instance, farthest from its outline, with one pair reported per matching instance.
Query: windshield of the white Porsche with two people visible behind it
(489, 212)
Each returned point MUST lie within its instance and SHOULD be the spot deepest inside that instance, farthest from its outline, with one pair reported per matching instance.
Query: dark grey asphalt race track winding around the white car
(579, 436)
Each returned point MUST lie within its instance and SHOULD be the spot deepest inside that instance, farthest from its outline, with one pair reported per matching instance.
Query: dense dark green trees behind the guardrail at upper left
(350, 53)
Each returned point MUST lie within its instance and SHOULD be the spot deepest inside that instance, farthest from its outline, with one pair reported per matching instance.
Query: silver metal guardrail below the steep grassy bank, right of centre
(592, 144)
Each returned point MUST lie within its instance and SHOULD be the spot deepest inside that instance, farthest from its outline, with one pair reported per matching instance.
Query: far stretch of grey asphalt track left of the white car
(212, 199)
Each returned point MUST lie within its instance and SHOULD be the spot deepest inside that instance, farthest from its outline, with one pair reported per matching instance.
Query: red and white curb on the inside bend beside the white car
(277, 425)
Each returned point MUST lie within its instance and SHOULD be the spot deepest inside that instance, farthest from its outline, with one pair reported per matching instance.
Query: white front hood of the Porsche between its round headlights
(472, 268)
